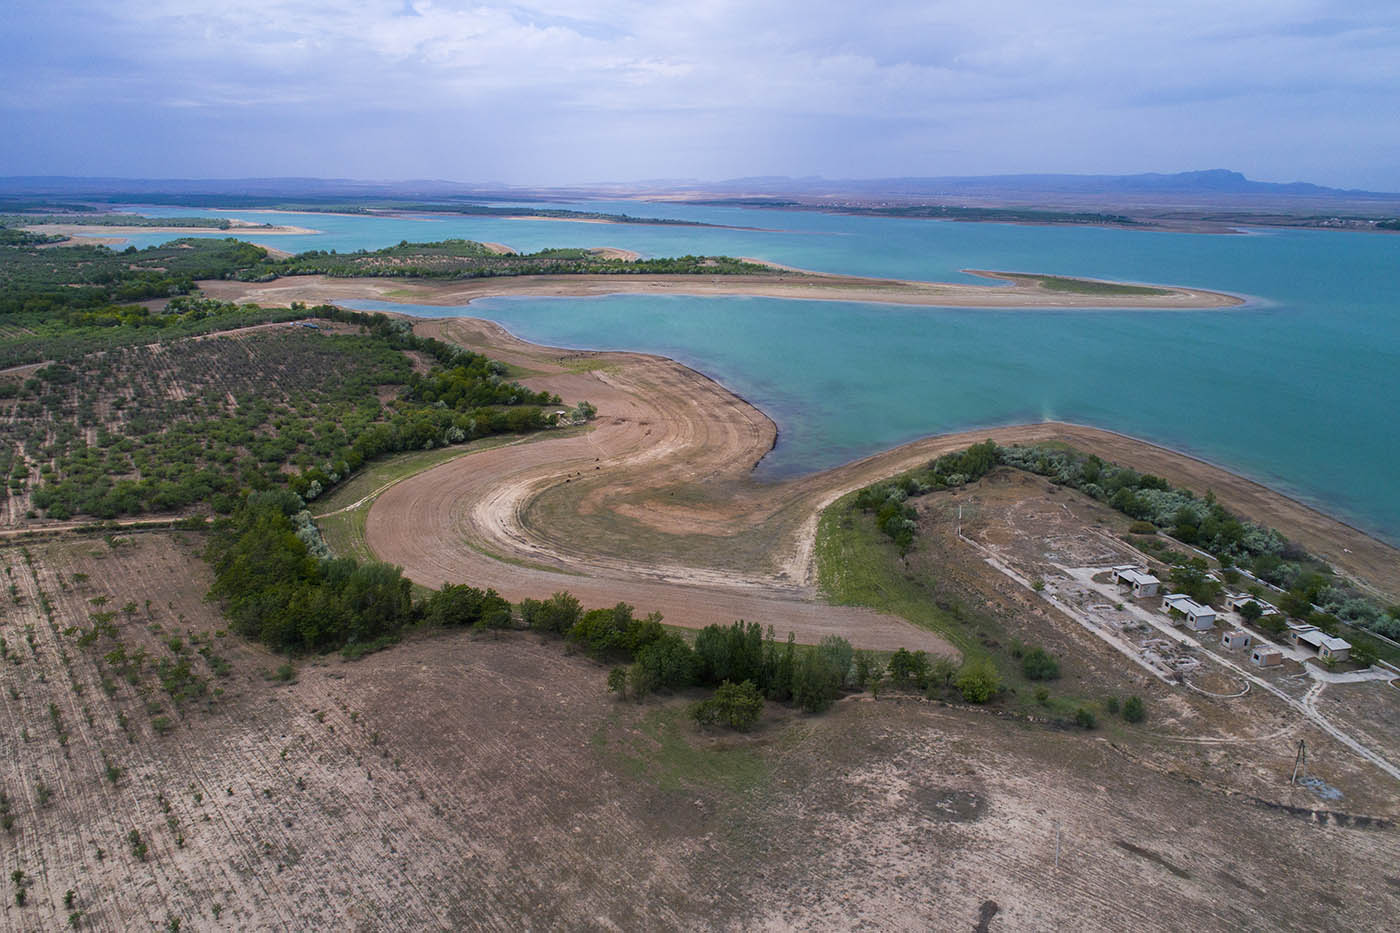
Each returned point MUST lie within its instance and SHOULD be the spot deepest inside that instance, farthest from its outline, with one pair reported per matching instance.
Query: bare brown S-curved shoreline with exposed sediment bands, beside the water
(656, 505)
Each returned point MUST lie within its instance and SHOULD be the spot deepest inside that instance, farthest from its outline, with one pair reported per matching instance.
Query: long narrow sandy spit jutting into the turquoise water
(1023, 293)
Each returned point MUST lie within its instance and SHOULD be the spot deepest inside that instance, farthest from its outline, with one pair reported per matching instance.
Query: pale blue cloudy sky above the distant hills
(573, 92)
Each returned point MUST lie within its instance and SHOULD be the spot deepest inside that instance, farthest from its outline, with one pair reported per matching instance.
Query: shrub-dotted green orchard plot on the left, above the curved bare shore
(160, 428)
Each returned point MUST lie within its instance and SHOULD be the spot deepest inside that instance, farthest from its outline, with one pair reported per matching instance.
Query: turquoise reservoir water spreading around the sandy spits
(1300, 390)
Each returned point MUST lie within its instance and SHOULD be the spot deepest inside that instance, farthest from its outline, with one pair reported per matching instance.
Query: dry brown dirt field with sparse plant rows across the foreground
(492, 784)
